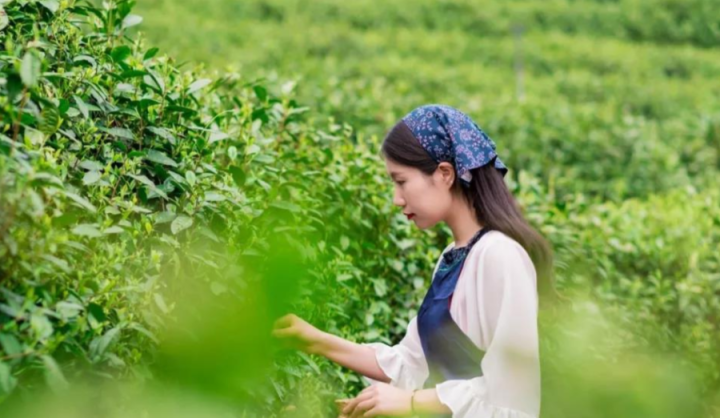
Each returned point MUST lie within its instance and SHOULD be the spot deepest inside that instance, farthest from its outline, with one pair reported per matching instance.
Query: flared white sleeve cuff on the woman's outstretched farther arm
(404, 363)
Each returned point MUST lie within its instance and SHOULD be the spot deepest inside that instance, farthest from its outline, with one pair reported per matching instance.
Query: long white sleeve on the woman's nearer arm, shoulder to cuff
(507, 304)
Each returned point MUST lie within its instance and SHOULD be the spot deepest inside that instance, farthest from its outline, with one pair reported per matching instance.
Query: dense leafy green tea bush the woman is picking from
(125, 179)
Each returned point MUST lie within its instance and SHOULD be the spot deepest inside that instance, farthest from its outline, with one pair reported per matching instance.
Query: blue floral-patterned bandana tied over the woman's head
(447, 134)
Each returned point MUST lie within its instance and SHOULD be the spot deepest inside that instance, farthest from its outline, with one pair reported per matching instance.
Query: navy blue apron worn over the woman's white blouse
(449, 352)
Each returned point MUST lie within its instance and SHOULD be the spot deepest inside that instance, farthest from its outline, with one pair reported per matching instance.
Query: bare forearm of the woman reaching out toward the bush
(352, 355)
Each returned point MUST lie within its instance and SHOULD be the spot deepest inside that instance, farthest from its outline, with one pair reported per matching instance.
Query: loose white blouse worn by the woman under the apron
(496, 304)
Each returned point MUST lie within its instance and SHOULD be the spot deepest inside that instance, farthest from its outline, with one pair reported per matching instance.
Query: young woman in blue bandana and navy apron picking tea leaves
(472, 349)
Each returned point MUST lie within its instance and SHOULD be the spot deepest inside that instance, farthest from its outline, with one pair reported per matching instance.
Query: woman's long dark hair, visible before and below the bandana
(495, 206)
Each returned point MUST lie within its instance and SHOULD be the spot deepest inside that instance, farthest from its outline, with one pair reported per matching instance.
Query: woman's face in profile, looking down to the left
(427, 197)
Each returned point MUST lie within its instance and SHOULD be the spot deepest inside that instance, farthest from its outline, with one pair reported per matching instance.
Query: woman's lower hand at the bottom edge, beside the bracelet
(379, 399)
